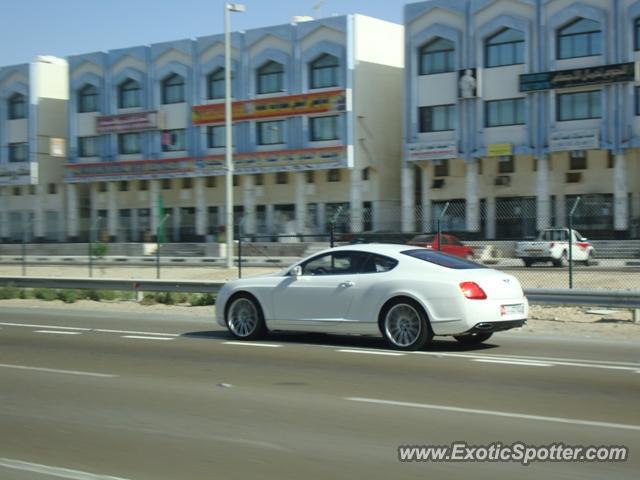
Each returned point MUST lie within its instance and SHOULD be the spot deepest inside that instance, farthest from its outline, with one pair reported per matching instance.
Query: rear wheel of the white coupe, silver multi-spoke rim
(405, 325)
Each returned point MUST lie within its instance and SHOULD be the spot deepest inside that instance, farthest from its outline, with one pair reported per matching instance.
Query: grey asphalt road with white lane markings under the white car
(90, 395)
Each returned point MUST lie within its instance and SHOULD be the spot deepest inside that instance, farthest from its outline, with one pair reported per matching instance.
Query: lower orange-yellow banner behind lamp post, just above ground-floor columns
(279, 161)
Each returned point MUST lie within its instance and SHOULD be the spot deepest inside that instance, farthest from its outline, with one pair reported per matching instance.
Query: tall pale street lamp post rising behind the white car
(228, 7)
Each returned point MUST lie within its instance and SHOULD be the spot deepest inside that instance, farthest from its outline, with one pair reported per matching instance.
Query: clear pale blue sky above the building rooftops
(68, 27)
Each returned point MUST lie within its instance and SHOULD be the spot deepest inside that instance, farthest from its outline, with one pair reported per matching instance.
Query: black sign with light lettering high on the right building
(579, 77)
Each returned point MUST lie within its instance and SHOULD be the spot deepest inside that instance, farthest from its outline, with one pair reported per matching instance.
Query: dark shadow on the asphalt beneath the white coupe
(342, 341)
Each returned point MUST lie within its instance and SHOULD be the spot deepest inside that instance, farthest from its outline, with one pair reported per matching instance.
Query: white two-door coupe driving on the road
(405, 293)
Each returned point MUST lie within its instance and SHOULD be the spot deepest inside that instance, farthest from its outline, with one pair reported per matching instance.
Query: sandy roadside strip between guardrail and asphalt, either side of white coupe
(543, 320)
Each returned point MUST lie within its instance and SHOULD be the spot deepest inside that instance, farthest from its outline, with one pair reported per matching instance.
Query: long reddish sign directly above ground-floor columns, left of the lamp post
(137, 169)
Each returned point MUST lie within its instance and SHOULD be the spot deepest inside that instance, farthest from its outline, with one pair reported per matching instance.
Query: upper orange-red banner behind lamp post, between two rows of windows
(317, 102)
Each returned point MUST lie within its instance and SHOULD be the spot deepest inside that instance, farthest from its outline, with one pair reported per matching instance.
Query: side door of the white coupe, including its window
(322, 294)
